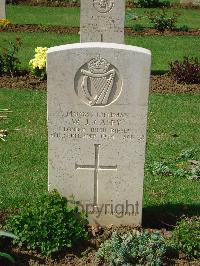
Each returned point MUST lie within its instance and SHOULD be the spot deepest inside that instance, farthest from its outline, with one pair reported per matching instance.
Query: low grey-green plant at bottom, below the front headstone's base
(143, 248)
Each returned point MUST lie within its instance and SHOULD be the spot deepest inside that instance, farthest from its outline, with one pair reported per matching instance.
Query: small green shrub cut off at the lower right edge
(186, 236)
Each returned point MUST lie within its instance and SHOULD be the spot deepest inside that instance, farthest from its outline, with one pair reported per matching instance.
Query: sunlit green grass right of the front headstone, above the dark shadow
(169, 116)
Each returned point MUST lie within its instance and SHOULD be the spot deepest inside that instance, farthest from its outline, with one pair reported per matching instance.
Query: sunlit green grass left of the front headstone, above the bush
(23, 167)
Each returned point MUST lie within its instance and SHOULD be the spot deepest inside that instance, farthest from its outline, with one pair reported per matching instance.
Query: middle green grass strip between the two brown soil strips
(164, 49)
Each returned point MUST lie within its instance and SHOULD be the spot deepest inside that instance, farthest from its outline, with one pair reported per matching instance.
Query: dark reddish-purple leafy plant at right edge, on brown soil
(187, 71)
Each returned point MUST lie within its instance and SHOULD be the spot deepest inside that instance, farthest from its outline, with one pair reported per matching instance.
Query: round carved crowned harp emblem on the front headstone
(97, 83)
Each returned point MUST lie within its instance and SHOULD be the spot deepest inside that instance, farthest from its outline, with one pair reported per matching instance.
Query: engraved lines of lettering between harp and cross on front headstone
(96, 126)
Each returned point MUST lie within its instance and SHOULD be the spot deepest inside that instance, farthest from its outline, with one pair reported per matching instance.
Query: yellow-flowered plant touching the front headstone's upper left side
(38, 63)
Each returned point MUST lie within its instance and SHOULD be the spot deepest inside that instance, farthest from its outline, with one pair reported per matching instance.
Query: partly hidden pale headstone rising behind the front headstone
(102, 21)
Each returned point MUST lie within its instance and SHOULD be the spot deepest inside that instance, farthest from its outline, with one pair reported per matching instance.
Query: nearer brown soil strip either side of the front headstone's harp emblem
(159, 84)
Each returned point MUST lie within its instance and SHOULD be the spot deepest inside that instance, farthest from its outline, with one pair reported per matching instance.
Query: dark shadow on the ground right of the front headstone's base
(166, 216)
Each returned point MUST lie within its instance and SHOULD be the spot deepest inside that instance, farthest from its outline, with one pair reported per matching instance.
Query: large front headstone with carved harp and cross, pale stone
(97, 114)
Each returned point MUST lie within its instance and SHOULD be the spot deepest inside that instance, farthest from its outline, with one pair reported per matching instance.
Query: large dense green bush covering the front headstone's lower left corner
(48, 225)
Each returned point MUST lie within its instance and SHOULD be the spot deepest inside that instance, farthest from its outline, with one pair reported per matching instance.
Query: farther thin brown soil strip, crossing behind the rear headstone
(75, 30)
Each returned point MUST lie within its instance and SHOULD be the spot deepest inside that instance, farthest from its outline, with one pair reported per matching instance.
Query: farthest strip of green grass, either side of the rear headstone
(71, 16)
